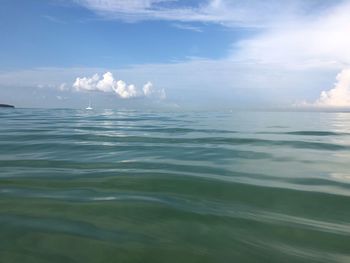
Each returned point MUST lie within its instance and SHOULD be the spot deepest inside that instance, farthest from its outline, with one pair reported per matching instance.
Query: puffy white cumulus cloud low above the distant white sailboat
(111, 85)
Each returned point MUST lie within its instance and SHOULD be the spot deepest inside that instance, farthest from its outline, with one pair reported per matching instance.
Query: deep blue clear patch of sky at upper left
(50, 34)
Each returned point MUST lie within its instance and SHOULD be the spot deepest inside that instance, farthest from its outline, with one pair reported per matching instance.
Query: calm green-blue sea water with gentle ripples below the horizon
(130, 186)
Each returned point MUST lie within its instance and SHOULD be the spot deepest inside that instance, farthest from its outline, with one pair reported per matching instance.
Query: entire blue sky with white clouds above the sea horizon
(175, 54)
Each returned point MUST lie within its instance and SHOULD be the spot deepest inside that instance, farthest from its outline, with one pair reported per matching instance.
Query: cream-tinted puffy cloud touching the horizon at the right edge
(339, 96)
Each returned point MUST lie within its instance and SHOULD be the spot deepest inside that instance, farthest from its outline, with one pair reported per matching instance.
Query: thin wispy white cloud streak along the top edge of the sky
(253, 13)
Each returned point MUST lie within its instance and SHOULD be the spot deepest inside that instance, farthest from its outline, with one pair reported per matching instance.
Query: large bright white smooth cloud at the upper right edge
(321, 40)
